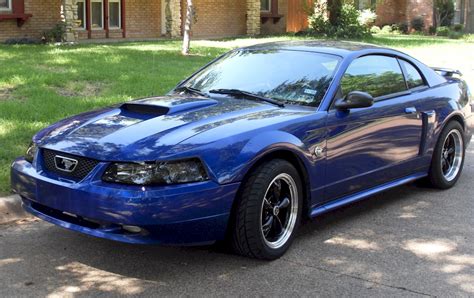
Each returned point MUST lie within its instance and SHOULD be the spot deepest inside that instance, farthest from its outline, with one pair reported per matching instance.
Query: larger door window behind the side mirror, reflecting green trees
(376, 75)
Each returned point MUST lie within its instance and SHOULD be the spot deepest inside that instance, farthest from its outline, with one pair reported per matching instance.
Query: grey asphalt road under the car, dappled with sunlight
(410, 241)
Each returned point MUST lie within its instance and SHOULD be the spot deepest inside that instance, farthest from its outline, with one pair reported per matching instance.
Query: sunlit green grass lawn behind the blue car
(43, 84)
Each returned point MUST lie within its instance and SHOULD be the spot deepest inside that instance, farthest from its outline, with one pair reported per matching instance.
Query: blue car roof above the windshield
(340, 48)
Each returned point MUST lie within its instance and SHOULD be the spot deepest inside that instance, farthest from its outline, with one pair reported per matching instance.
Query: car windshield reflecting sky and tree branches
(284, 75)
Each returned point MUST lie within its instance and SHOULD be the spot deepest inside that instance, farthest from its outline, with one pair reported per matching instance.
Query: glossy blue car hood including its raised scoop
(144, 129)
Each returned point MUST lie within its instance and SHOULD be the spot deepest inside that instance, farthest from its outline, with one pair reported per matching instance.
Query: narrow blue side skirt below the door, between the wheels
(316, 211)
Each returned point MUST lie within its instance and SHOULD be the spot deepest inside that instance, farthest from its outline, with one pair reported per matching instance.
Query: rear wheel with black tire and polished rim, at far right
(445, 171)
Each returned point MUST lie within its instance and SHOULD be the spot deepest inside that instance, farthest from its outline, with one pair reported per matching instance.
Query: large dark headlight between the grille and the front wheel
(159, 173)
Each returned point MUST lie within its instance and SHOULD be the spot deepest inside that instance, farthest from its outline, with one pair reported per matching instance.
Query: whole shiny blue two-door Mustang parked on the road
(249, 146)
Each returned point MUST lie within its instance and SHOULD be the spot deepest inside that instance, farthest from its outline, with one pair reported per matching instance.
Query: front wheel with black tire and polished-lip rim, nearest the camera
(271, 197)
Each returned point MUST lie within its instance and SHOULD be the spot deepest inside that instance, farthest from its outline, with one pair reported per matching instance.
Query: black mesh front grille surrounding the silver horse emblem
(83, 168)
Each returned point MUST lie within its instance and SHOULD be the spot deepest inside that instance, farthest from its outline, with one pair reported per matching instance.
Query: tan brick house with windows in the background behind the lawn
(116, 19)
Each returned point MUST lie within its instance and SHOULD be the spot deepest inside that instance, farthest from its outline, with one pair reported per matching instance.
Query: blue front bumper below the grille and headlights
(187, 214)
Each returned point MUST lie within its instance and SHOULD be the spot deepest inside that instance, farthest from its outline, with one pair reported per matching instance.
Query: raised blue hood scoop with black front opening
(156, 107)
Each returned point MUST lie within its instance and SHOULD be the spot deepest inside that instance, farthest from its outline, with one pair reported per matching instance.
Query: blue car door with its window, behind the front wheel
(370, 146)
